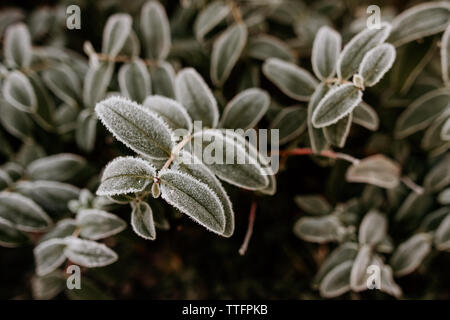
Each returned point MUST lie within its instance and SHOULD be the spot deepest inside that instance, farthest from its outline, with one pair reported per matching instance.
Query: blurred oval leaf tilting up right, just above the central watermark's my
(246, 109)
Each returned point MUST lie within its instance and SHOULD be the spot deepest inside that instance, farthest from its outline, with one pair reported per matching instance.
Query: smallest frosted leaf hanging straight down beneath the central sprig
(142, 220)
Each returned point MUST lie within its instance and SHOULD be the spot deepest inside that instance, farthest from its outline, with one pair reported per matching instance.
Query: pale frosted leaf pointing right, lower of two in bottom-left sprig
(89, 254)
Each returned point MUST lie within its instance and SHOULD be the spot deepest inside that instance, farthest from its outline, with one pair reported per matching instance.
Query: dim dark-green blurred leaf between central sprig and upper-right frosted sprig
(291, 122)
